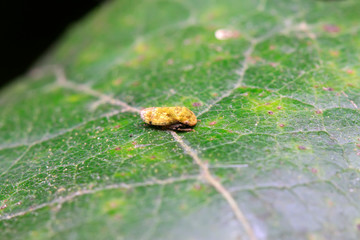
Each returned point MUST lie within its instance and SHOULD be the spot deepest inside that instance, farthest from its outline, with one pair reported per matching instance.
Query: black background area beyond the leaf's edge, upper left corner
(29, 27)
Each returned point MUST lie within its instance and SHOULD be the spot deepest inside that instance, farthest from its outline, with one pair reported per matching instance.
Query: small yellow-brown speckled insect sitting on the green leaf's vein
(173, 118)
